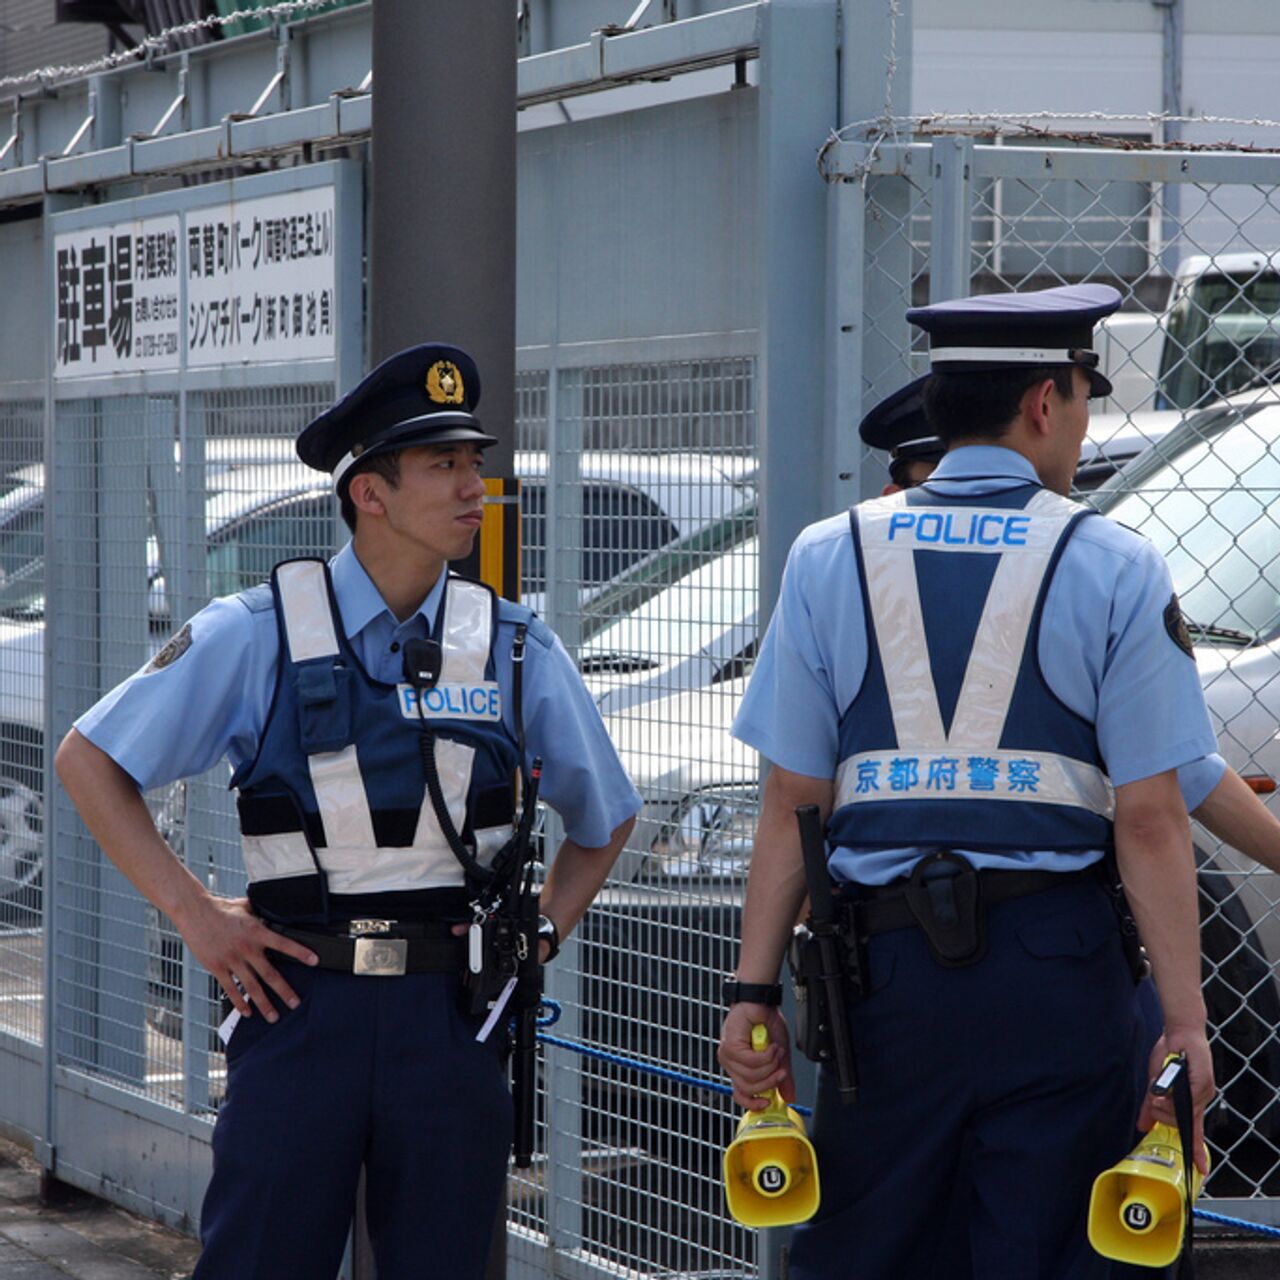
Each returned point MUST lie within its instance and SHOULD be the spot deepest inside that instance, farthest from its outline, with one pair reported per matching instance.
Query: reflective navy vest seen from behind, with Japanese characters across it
(956, 739)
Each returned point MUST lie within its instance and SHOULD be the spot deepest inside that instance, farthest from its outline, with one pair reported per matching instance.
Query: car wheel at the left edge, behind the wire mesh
(22, 822)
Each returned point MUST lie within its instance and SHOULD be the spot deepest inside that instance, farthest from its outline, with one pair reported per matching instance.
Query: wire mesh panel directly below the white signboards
(164, 504)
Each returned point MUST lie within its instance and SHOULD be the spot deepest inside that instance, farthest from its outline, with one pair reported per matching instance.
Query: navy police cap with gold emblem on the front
(423, 396)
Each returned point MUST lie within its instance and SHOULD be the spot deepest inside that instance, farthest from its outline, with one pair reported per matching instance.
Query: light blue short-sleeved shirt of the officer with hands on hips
(214, 700)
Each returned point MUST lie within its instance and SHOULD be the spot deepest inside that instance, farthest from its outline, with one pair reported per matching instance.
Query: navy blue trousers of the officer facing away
(990, 1099)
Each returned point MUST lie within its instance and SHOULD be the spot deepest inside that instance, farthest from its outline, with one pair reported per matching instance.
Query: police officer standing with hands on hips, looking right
(377, 804)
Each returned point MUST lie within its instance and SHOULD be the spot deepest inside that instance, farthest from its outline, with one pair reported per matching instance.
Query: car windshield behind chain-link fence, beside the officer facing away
(1212, 513)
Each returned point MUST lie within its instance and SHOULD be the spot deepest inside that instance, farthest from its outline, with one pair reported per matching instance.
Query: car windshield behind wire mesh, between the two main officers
(689, 615)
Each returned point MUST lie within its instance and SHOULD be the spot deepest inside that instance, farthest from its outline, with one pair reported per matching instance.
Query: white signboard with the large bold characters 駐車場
(116, 298)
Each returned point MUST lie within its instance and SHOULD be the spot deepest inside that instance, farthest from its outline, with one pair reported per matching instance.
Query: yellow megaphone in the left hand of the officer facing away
(771, 1172)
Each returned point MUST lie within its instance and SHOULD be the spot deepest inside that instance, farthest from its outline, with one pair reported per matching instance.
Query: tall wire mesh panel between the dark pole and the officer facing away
(642, 542)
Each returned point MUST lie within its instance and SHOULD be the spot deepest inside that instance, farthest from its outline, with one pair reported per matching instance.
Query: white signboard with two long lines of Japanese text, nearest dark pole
(260, 280)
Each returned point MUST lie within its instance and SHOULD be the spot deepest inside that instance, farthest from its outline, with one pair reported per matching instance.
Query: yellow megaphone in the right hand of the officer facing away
(1139, 1208)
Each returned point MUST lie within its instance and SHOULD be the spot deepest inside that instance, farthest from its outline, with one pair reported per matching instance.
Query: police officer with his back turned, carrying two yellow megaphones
(947, 676)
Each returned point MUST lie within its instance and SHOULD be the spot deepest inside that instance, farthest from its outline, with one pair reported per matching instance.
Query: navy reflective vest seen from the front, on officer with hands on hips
(336, 802)
